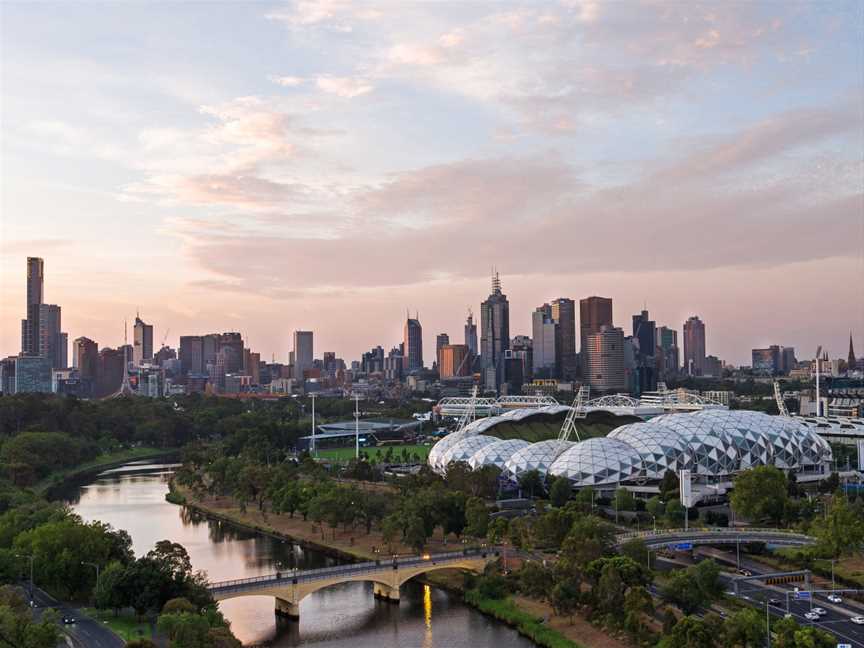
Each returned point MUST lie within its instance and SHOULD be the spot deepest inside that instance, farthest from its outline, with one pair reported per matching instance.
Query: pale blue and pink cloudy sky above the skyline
(328, 165)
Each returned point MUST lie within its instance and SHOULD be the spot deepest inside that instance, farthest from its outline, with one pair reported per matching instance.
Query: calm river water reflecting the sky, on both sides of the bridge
(342, 616)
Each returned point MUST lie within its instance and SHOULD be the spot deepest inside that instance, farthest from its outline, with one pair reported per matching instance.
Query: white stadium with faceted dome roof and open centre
(713, 444)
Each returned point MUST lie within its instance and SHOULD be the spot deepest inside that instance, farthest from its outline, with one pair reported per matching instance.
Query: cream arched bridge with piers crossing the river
(387, 576)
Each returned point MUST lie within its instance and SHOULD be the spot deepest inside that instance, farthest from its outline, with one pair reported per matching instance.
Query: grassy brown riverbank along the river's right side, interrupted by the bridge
(524, 615)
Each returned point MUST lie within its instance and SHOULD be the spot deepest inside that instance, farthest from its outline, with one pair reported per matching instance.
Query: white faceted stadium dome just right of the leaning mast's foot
(598, 462)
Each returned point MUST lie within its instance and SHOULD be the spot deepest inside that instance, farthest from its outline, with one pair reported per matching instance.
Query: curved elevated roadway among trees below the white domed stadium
(671, 538)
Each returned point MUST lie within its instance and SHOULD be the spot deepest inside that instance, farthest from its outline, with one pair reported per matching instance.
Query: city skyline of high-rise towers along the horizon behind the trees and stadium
(571, 344)
